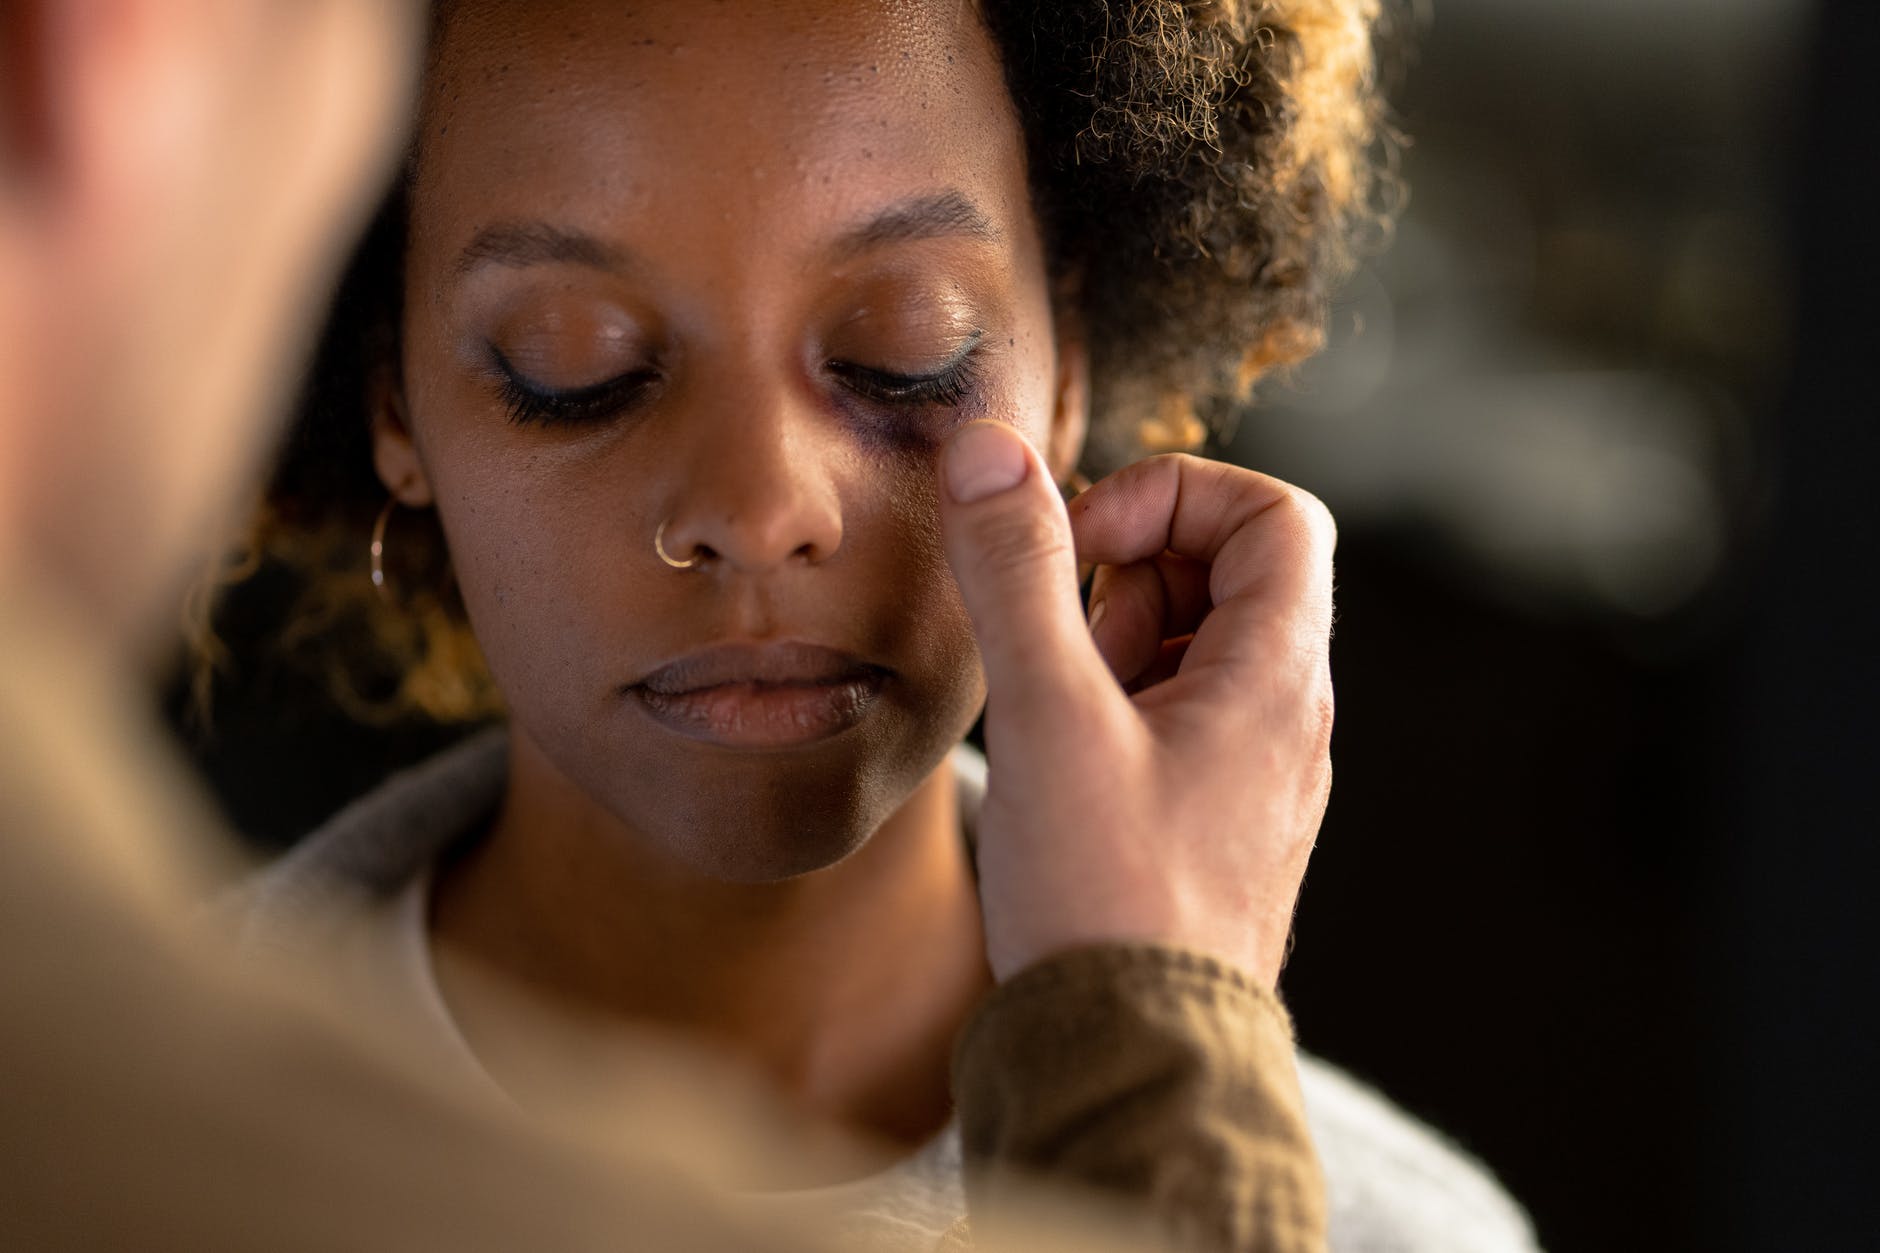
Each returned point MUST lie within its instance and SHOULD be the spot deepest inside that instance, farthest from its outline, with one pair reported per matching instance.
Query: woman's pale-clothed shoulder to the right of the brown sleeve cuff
(1398, 1186)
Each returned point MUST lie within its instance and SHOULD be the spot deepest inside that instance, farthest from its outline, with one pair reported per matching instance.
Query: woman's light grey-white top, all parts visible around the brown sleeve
(358, 895)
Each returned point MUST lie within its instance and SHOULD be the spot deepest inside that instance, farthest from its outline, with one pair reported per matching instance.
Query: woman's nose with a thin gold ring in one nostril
(755, 483)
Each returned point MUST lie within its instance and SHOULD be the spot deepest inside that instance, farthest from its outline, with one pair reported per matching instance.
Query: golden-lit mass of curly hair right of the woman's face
(1206, 170)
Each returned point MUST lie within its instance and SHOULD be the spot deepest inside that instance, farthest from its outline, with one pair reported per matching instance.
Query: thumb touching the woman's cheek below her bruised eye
(1010, 547)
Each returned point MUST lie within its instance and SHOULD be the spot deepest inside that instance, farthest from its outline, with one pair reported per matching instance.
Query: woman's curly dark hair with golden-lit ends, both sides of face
(1204, 174)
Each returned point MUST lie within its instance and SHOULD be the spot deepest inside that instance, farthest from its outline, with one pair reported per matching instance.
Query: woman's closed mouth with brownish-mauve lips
(777, 695)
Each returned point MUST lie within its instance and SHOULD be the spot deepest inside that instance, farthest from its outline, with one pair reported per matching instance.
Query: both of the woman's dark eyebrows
(520, 246)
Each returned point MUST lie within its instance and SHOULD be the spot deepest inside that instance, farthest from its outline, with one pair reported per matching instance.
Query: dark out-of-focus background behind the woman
(1593, 887)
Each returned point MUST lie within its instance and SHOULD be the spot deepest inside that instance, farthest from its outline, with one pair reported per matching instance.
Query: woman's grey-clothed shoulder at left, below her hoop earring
(369, 849)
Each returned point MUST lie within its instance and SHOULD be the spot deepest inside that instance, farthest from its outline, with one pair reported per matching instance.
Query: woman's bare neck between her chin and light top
(845, 985)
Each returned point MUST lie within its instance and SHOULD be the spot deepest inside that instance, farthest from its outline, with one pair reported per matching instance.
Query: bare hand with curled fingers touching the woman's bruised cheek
(1146, 785)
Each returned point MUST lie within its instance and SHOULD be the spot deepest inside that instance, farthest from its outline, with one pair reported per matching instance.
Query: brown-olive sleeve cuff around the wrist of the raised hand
(1153, 1075)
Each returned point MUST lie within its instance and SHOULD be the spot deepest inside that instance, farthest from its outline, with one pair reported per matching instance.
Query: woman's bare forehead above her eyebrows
(783, 118)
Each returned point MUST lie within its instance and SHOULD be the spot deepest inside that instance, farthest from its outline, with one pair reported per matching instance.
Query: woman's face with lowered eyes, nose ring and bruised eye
(736, 270)
